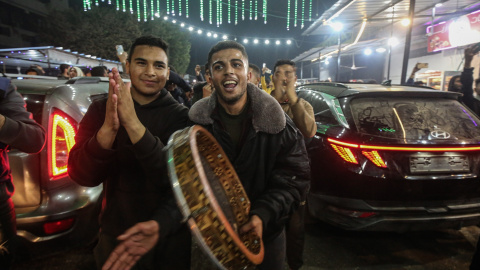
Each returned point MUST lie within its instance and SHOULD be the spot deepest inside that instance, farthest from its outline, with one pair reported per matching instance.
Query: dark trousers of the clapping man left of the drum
(172, 253)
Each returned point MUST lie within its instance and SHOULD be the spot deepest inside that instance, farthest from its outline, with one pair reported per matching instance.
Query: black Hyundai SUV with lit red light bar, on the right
(392, 158)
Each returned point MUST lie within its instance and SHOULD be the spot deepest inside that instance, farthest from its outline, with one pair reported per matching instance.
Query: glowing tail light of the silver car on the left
(61, 139)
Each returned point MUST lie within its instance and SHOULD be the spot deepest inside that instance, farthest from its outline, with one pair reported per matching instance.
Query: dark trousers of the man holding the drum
(274, 253)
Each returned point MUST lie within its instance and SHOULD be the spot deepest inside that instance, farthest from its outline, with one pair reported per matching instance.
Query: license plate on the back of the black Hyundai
(439, 164)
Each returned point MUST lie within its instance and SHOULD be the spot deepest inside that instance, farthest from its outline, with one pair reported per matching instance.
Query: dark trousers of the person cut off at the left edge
(8, 233)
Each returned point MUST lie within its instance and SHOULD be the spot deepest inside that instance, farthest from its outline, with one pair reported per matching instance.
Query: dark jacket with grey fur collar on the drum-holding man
(272, 163)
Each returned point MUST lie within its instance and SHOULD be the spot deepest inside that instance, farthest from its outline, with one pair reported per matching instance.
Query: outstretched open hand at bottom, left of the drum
(135, 243)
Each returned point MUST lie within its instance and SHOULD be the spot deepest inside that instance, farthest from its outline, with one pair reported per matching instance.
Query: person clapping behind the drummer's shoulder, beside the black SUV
(301, 112)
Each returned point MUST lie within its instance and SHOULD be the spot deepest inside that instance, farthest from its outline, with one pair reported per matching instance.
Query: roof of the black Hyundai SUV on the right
(339, 90)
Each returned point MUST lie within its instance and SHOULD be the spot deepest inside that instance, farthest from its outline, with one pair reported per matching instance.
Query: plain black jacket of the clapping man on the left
(136, 185)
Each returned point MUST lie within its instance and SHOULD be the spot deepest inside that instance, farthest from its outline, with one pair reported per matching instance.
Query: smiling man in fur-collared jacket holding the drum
(263, 145)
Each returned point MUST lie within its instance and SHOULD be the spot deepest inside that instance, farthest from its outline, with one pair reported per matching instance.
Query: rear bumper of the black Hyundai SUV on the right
(353, 214)
